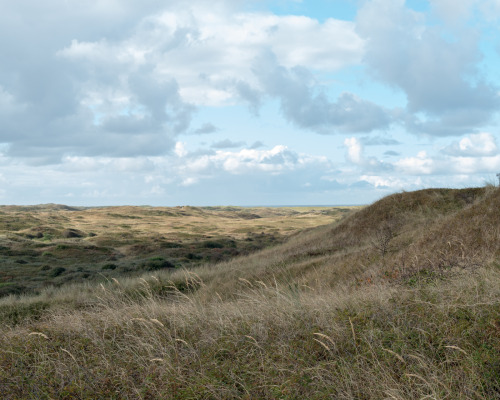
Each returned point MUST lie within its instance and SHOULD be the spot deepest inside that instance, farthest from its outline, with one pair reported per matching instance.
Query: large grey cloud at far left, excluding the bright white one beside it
(63, 97)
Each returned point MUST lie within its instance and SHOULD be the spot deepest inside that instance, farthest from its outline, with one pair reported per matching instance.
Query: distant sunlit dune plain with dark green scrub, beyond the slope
(56, 244)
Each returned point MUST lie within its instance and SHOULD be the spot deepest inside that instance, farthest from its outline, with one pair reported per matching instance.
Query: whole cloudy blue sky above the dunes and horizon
(245, 102)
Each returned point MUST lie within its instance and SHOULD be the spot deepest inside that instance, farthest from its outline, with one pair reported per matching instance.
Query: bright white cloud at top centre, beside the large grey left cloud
(209, 52)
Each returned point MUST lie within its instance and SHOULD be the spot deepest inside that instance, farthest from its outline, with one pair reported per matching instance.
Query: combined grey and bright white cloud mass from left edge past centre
(112, 78)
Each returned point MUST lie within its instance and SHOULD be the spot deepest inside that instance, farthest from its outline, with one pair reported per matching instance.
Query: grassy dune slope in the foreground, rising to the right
(400, 300)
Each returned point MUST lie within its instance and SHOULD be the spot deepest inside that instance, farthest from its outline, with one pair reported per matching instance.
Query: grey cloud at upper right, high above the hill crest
(435, 68)
